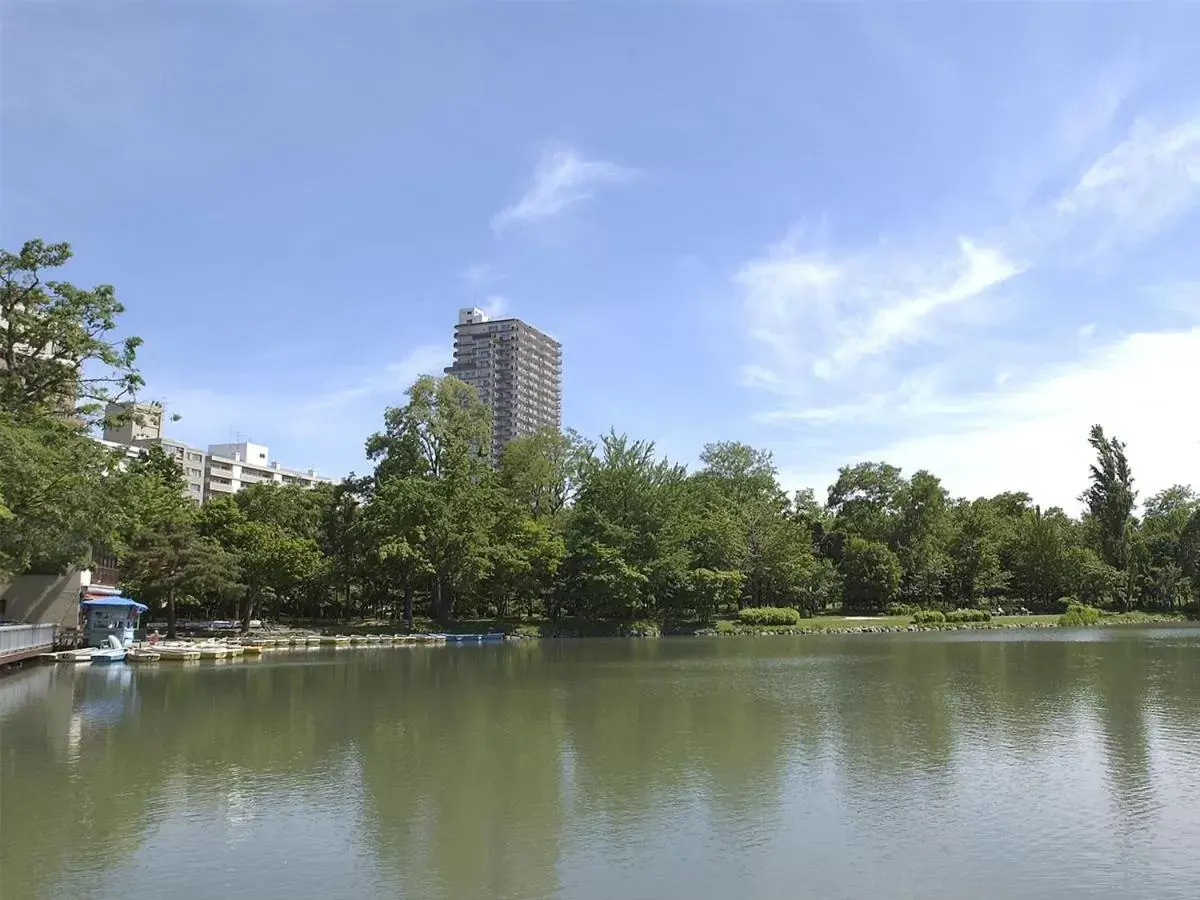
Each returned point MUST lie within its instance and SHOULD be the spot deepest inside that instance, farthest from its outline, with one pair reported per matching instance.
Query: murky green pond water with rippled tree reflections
(993, 766)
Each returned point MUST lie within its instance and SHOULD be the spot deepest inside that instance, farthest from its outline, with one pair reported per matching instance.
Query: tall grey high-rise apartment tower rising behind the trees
(517, 370)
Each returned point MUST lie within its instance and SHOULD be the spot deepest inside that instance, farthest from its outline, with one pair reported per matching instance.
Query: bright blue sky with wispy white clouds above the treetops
(946, 238)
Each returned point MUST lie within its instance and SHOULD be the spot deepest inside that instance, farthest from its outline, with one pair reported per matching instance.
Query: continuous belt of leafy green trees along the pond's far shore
(563, 527)
